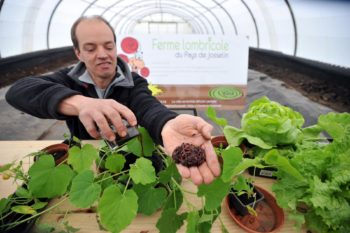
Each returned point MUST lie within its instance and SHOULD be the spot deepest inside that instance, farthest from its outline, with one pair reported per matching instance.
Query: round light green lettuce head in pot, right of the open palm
(265, 126)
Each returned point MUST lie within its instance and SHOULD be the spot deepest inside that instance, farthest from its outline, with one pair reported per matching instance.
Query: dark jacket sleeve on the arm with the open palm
(150, 113)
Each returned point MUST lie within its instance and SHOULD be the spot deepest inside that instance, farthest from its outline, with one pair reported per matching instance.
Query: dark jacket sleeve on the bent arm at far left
(39, 96)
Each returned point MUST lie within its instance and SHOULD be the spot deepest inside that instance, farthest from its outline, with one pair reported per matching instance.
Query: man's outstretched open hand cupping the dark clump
(191, 129)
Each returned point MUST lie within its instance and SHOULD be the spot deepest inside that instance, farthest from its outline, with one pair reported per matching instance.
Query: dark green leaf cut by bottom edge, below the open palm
(170, 222)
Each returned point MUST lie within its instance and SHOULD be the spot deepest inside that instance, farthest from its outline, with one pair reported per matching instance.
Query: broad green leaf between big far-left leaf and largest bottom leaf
(84, 192)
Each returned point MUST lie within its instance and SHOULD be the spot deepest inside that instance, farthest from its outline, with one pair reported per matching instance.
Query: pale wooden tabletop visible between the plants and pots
(17, 150)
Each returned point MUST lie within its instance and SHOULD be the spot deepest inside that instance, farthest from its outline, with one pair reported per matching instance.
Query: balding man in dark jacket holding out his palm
(100, 90)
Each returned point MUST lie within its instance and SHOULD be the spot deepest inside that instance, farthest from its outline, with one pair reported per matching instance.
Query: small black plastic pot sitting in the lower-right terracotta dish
(240, 203)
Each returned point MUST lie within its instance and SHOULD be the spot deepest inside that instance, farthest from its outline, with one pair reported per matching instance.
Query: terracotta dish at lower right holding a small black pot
(270, 216)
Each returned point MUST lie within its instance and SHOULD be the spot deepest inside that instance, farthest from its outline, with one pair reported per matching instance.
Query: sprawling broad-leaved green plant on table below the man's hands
(130, 189)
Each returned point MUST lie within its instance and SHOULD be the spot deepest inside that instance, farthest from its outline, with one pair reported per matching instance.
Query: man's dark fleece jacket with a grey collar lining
(40, 97)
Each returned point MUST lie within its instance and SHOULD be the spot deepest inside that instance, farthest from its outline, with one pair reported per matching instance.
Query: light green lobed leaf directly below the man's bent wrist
(82, 159)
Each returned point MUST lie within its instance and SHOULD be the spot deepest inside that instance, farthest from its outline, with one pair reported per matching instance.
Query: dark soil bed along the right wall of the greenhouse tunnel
(327, 93)
